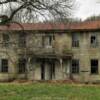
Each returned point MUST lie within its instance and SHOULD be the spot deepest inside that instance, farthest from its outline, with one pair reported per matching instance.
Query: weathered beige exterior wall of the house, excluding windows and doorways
(62, 70)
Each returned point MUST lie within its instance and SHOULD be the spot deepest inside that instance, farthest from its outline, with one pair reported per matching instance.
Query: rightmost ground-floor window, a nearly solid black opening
(94, 66)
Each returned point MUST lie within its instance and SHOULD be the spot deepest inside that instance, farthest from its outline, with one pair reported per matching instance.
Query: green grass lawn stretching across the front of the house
(48, 91)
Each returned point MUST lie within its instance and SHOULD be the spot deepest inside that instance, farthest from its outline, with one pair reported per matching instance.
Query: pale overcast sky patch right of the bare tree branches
(86, 8)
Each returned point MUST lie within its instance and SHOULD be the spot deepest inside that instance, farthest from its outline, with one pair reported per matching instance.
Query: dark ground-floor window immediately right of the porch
(75, 66)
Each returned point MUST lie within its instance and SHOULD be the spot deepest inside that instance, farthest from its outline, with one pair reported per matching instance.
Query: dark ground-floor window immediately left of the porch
(22, 66)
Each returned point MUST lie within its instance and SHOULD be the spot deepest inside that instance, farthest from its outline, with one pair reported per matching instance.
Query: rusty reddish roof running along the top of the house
(90, 25)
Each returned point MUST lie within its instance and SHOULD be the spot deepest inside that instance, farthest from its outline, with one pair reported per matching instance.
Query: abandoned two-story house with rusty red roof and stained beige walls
(45, 51)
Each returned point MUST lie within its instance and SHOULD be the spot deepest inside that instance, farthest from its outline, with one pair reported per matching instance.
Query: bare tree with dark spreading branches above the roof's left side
(38, 9)
